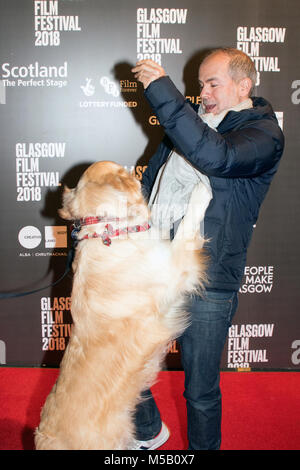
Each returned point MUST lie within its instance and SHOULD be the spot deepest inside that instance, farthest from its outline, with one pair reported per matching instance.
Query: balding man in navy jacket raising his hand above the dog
(233, 145)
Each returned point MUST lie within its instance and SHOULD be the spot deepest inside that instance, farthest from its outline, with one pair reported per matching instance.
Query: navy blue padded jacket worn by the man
(240, 161)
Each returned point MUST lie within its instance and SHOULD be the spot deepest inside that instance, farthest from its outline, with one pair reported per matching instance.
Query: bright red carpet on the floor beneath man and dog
(261, 411)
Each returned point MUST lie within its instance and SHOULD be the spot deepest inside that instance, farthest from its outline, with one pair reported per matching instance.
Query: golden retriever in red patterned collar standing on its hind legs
(127, 304)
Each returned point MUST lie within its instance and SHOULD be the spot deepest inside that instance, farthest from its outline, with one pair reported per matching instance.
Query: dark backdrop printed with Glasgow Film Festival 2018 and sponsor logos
(68, 98)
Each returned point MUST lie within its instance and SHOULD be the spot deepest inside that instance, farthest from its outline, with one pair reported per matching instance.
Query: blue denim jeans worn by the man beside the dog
(201, 346)
